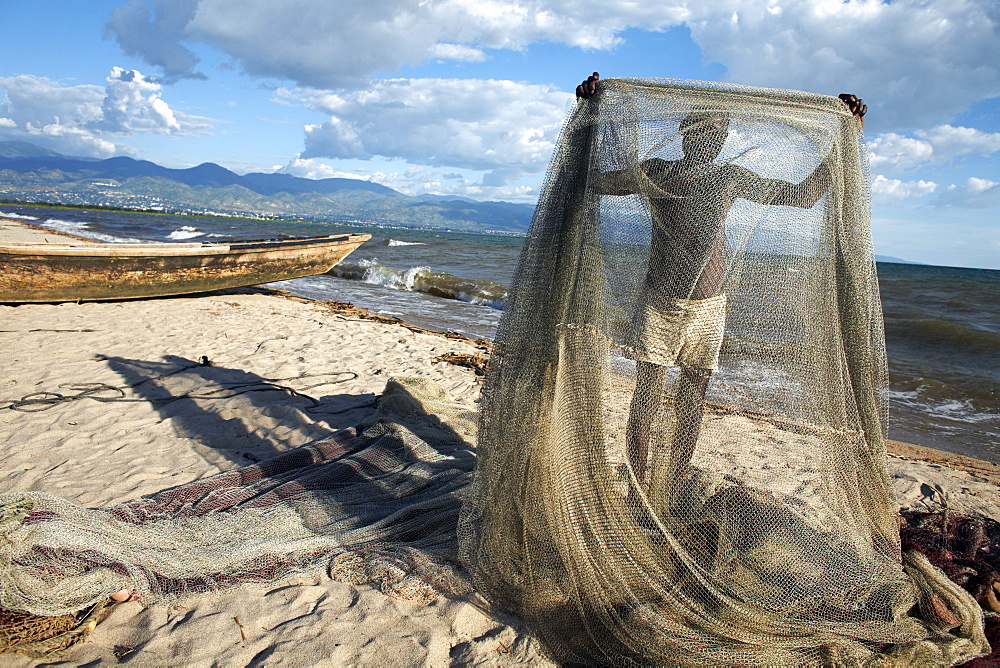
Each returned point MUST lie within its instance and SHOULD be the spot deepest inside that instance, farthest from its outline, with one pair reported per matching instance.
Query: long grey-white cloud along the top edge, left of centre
(341, 43)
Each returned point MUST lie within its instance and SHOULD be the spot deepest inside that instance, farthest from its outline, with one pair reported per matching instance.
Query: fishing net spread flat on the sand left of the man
(376, 504)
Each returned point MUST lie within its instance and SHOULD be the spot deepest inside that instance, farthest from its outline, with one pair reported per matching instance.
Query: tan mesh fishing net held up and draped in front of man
(681, 454)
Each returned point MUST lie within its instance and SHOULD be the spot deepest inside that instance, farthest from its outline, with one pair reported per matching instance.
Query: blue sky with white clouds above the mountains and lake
(467, 97)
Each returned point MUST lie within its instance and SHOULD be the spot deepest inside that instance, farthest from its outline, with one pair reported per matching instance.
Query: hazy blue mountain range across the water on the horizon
(30, 173)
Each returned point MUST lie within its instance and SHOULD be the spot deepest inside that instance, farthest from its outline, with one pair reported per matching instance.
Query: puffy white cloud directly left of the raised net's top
(503, 127)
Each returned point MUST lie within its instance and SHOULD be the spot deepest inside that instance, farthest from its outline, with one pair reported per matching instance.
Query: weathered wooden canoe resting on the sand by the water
(42, 272)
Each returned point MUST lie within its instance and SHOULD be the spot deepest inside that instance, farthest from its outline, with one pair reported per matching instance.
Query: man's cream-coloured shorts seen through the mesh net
(669, 331)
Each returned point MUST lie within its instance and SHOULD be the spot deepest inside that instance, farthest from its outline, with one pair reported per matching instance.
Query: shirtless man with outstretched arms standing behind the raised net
(680, 315)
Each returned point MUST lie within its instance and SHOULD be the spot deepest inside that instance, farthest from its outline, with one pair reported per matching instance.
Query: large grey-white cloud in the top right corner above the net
(916, 61)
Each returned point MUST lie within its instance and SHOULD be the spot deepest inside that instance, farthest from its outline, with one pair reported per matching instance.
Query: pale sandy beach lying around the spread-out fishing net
(313, 370)
